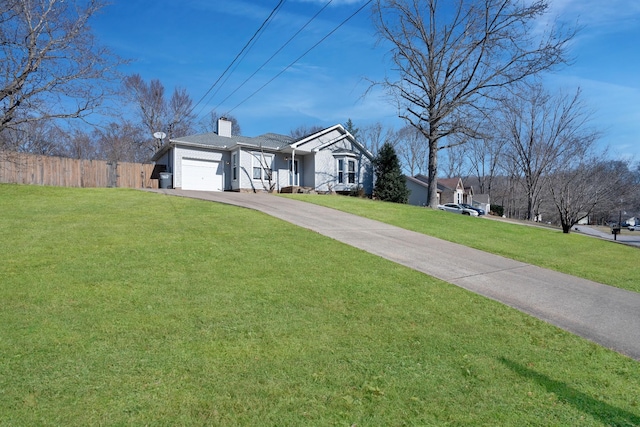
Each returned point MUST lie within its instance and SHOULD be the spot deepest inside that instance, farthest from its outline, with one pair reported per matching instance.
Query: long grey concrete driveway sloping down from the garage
(600, 313)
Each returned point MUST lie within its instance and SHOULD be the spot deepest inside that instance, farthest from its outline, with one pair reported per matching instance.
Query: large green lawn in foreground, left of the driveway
(121, 307)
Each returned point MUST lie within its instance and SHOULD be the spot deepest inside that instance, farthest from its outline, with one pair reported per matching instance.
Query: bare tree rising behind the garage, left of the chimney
(156, 114)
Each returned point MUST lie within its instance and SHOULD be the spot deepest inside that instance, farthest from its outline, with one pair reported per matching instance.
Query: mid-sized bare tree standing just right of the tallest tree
(543, 133)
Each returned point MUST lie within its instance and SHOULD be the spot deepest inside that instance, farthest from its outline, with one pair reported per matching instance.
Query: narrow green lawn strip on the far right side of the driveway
(583, 256)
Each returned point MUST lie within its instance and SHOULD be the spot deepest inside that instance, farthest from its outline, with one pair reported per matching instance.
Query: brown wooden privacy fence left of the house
(19, 168)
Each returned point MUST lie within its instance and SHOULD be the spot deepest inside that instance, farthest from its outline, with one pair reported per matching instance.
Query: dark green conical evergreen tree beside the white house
(390, 183)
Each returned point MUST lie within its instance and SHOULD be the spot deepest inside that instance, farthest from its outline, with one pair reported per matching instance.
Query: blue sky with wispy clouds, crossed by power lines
(190, 43)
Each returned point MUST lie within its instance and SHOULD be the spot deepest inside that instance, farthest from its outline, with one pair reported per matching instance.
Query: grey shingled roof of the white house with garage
(269, 141)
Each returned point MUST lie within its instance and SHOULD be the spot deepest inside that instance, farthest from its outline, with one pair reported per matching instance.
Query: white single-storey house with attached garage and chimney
(330, 160)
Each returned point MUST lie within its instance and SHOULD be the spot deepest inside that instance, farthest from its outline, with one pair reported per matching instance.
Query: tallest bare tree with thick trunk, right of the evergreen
(451, 55)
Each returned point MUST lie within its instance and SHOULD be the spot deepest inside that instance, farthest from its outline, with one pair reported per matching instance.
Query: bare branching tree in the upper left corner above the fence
(51, 68)
